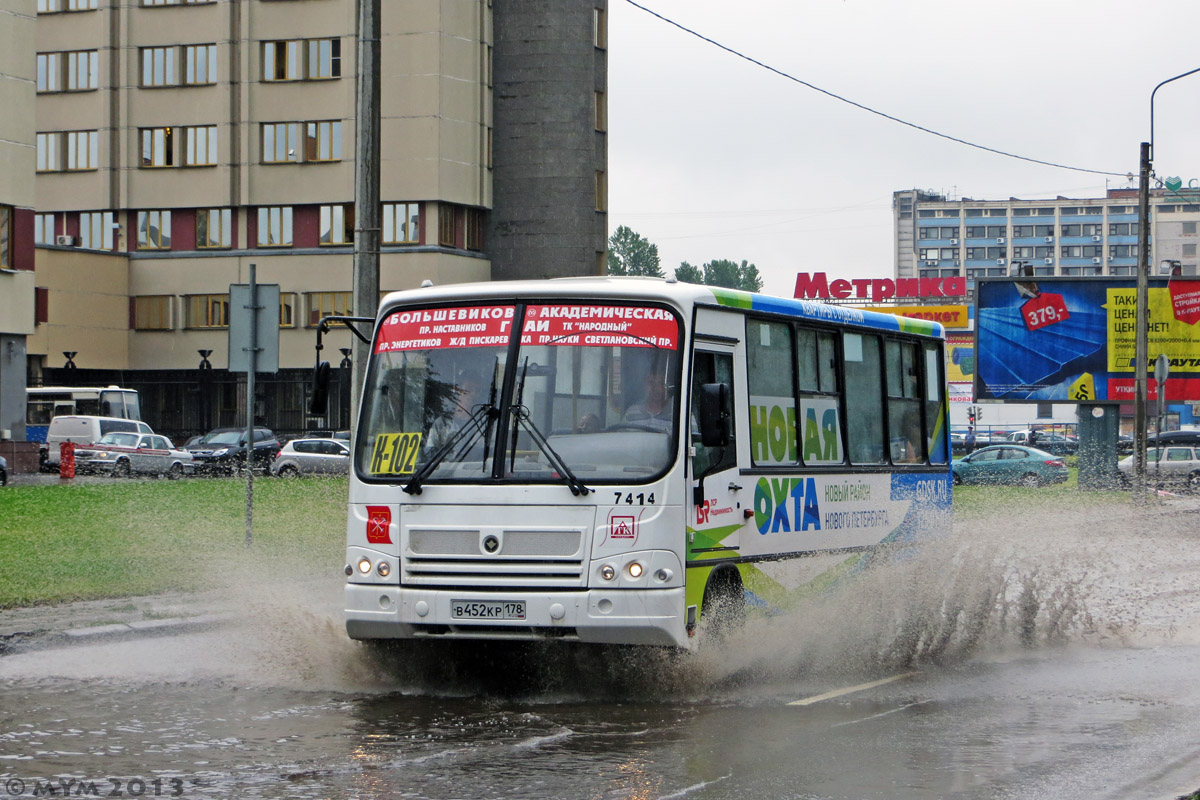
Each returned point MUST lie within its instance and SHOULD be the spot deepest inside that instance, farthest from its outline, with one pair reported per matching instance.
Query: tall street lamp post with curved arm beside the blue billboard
(1142, 360)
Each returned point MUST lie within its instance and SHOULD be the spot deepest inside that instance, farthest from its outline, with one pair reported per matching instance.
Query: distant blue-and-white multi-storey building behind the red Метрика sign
(937, 237)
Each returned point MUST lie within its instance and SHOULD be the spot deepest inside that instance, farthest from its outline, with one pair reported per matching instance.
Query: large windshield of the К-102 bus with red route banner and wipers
(590, 393)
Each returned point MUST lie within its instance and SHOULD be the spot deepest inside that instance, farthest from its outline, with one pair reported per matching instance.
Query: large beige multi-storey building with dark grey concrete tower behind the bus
(181, 141)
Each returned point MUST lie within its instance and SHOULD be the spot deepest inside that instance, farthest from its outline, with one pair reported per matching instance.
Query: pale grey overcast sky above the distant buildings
(712, 157)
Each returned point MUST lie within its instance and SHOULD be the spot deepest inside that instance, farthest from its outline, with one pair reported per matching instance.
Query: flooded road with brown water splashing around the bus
(1003, 664)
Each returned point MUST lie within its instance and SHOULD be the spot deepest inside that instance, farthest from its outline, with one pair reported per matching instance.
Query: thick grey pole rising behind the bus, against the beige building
(367, 188)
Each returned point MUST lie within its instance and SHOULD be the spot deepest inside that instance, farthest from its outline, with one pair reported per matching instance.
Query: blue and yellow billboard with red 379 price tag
(1073, 340)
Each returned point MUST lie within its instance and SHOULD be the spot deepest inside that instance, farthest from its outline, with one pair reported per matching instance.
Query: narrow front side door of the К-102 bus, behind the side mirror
(719, 498)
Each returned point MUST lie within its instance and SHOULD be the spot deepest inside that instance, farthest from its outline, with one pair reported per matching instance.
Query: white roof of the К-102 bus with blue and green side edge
(647, 288)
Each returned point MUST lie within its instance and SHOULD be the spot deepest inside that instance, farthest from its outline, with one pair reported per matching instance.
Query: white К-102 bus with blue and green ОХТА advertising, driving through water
(644, 455)
